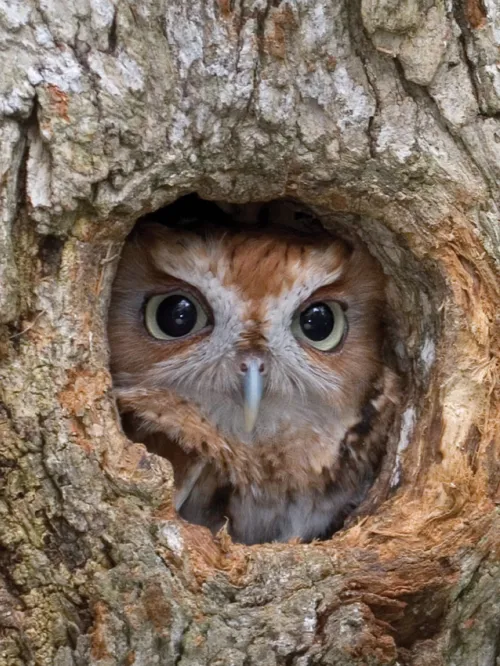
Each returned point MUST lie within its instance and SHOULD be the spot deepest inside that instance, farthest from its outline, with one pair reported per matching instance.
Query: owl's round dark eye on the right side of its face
(321, 324)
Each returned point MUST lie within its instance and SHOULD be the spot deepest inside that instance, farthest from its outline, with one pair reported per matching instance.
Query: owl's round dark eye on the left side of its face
(174, 315)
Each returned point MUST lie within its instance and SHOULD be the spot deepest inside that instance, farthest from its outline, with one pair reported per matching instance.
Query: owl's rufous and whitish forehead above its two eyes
(254, 265)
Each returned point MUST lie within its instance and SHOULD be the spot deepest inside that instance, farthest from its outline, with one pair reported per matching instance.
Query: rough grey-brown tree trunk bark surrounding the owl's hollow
(384, 118)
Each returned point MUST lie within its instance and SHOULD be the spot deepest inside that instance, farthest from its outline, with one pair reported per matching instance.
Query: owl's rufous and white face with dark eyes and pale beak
(259, 331)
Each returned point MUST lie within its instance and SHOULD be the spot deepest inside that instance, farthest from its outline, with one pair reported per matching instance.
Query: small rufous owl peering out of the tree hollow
(253, 363)
